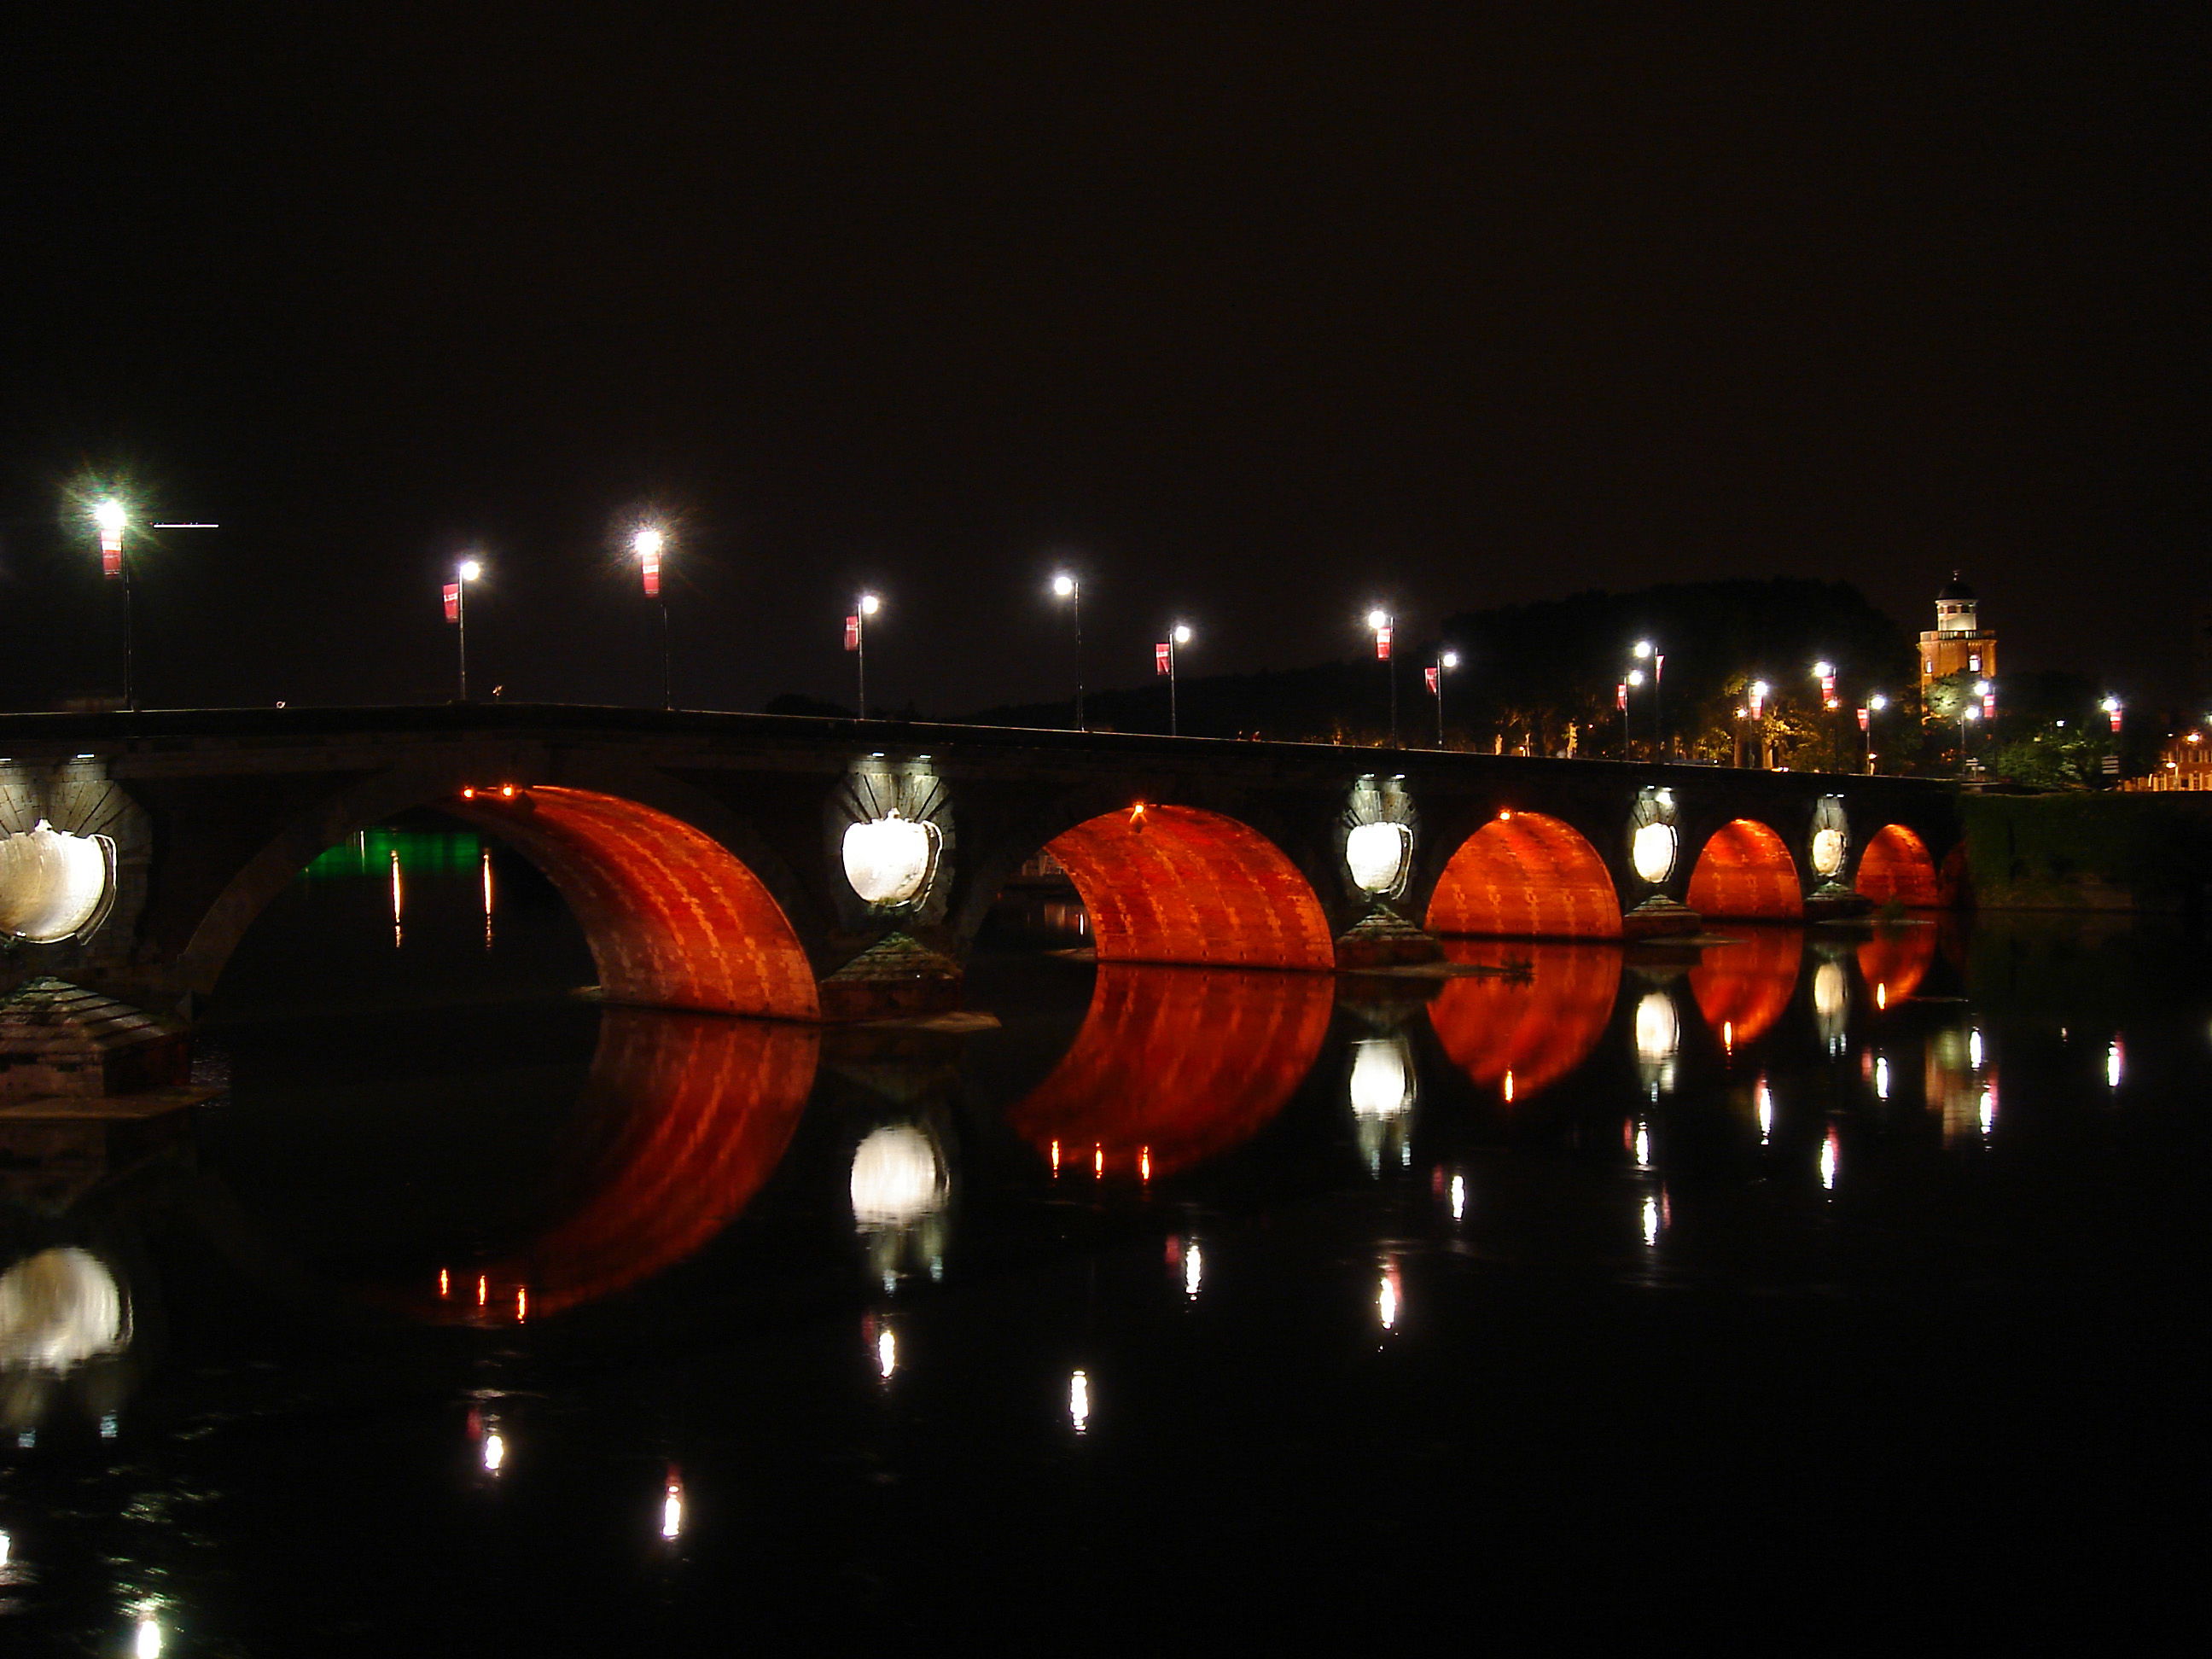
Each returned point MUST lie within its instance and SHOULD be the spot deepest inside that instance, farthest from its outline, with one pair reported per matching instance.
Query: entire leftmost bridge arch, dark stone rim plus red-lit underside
(674, 919)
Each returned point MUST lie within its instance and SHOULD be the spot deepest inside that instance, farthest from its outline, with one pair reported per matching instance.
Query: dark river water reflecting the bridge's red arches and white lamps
(1811, 1288)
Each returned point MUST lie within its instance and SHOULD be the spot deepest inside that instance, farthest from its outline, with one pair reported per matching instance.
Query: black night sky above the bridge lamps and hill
(1262, 313)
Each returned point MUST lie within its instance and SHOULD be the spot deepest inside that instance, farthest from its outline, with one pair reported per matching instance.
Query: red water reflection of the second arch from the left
(1176, 1067)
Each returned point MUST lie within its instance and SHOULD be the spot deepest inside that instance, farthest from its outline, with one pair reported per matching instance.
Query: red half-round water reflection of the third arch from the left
(1534, 1027)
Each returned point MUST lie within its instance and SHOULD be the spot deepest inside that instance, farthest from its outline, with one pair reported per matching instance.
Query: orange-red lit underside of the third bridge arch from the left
(1527, 877)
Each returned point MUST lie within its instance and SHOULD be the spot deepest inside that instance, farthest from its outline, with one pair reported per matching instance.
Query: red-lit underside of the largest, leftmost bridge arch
(674, 919)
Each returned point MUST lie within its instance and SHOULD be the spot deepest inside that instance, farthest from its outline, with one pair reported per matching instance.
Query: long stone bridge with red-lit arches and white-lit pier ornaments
(806, 868)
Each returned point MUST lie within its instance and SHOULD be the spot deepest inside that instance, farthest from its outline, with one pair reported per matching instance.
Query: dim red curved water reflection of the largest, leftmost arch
(685, 1118)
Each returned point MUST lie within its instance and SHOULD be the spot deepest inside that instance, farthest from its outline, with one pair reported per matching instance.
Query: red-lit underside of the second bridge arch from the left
(1187, 886)
